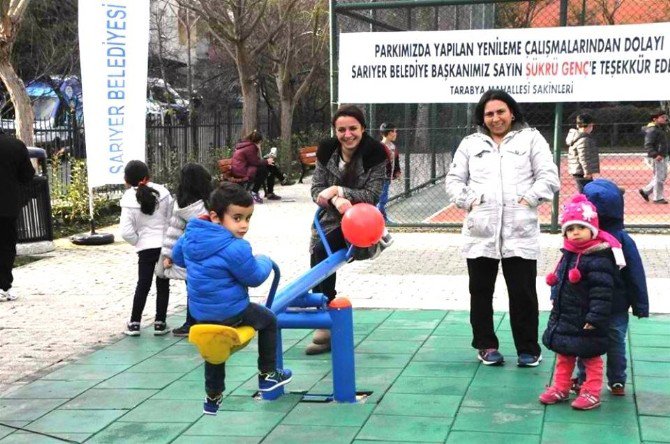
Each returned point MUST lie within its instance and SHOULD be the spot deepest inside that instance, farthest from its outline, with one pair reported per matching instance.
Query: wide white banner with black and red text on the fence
(572, 64)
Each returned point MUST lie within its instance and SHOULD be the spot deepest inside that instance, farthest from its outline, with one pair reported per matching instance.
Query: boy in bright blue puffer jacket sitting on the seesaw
(219, 268)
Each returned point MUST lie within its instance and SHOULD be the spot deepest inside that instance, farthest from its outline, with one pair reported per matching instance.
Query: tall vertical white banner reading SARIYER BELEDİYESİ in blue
(113, 45)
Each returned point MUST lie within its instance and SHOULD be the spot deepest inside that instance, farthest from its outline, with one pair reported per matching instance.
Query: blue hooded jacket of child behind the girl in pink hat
(630, 284)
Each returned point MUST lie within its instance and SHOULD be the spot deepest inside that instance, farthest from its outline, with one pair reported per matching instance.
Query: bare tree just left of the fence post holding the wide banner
(298, 56)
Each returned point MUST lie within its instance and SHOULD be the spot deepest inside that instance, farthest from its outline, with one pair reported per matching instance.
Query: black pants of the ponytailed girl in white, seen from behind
(146, 261)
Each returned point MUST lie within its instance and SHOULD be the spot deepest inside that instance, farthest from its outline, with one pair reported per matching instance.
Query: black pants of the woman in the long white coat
(520, 275)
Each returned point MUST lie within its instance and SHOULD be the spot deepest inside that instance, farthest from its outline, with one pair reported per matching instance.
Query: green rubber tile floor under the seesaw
(424, 382)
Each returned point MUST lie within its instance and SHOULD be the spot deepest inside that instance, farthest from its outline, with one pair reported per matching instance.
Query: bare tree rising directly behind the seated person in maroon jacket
(234, 24)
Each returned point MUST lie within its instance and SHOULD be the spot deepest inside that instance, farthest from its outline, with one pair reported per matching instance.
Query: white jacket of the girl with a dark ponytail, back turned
(145, 231)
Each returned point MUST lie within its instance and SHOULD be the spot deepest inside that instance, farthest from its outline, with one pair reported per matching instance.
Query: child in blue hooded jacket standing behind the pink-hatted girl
(630, 284)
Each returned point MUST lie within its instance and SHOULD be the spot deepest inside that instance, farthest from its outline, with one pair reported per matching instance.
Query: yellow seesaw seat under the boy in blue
(217, 342)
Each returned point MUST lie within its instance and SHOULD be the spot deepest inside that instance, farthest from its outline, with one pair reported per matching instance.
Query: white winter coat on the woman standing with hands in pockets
(494, 179)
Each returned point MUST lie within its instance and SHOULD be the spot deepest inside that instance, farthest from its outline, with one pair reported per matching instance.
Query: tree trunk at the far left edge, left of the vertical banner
(24, 116)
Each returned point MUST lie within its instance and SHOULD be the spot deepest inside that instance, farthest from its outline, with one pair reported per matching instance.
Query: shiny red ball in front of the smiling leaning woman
(363, 225)
